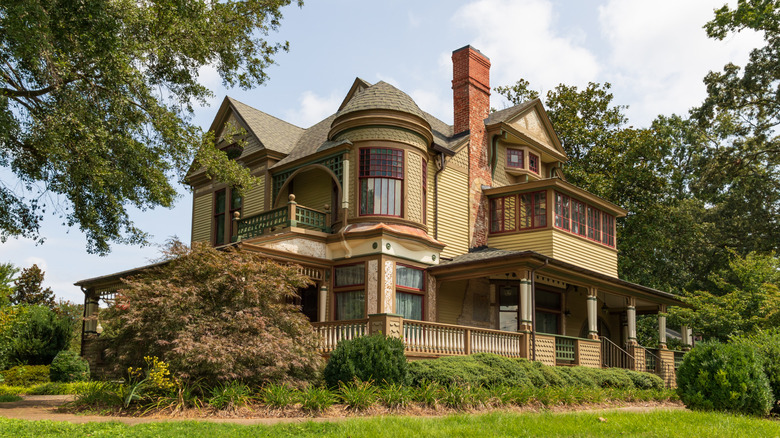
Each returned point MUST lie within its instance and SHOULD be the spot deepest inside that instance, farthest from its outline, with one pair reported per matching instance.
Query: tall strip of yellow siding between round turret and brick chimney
(453, 212)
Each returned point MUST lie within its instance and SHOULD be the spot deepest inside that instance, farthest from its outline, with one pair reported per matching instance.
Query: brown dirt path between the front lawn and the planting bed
(44, 407)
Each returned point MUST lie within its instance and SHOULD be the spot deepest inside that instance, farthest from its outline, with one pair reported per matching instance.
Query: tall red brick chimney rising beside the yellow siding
(471, 105)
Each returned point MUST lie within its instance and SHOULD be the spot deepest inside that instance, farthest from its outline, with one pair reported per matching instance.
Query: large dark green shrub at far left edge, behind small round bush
(35, 335)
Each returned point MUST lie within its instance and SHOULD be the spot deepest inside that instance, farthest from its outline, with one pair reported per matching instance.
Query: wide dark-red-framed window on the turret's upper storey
(381, 181)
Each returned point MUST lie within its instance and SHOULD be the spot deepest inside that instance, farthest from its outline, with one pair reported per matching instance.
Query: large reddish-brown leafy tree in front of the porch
(214, 316)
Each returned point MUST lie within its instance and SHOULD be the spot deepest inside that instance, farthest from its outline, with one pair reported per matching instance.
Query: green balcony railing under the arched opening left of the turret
(292, 215)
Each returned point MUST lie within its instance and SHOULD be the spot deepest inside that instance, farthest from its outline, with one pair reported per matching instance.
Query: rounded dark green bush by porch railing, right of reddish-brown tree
(369, 358)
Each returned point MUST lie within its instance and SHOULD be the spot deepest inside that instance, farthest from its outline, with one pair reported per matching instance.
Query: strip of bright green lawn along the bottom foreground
(654, 424)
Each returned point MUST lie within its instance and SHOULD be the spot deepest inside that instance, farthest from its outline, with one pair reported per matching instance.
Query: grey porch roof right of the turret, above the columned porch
(486, 261)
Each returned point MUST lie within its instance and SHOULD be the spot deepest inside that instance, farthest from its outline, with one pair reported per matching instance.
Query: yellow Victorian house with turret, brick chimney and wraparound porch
(461, 239)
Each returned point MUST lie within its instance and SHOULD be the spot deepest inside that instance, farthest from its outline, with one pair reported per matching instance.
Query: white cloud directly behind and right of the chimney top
(523, 40)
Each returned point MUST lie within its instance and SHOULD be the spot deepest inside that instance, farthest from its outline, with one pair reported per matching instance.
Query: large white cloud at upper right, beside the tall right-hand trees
(659, 53)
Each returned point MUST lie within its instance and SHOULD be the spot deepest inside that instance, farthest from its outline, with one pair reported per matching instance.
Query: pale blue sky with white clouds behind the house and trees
(655, 55)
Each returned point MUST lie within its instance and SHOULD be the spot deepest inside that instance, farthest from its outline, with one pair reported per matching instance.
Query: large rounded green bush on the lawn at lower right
(724, 377)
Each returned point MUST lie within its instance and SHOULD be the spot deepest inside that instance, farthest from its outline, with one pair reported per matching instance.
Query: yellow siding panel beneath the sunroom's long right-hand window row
(580, 252)
